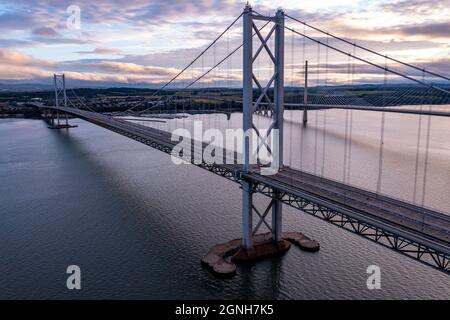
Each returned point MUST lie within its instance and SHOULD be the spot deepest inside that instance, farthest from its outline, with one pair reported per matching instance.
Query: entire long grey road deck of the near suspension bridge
(425, 227)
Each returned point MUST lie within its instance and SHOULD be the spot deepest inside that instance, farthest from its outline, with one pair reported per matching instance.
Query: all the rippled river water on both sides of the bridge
(137, 225)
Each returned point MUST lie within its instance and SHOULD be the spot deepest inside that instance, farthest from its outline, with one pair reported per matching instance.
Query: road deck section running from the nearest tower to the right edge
(431, 225)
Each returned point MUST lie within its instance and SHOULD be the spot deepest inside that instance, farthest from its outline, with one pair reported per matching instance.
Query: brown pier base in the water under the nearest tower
(222, 258)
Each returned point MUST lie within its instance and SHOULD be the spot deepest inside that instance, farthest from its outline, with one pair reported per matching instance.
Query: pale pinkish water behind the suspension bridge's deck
(411, 163)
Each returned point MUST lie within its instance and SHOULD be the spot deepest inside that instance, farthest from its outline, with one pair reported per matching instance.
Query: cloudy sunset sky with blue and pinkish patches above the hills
(147, 42)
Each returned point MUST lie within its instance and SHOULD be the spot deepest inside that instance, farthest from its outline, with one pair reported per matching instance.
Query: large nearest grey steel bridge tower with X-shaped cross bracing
(275, 111)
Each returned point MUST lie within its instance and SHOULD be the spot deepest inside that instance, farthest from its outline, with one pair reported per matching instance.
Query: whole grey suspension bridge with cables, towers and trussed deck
(248, 66)
